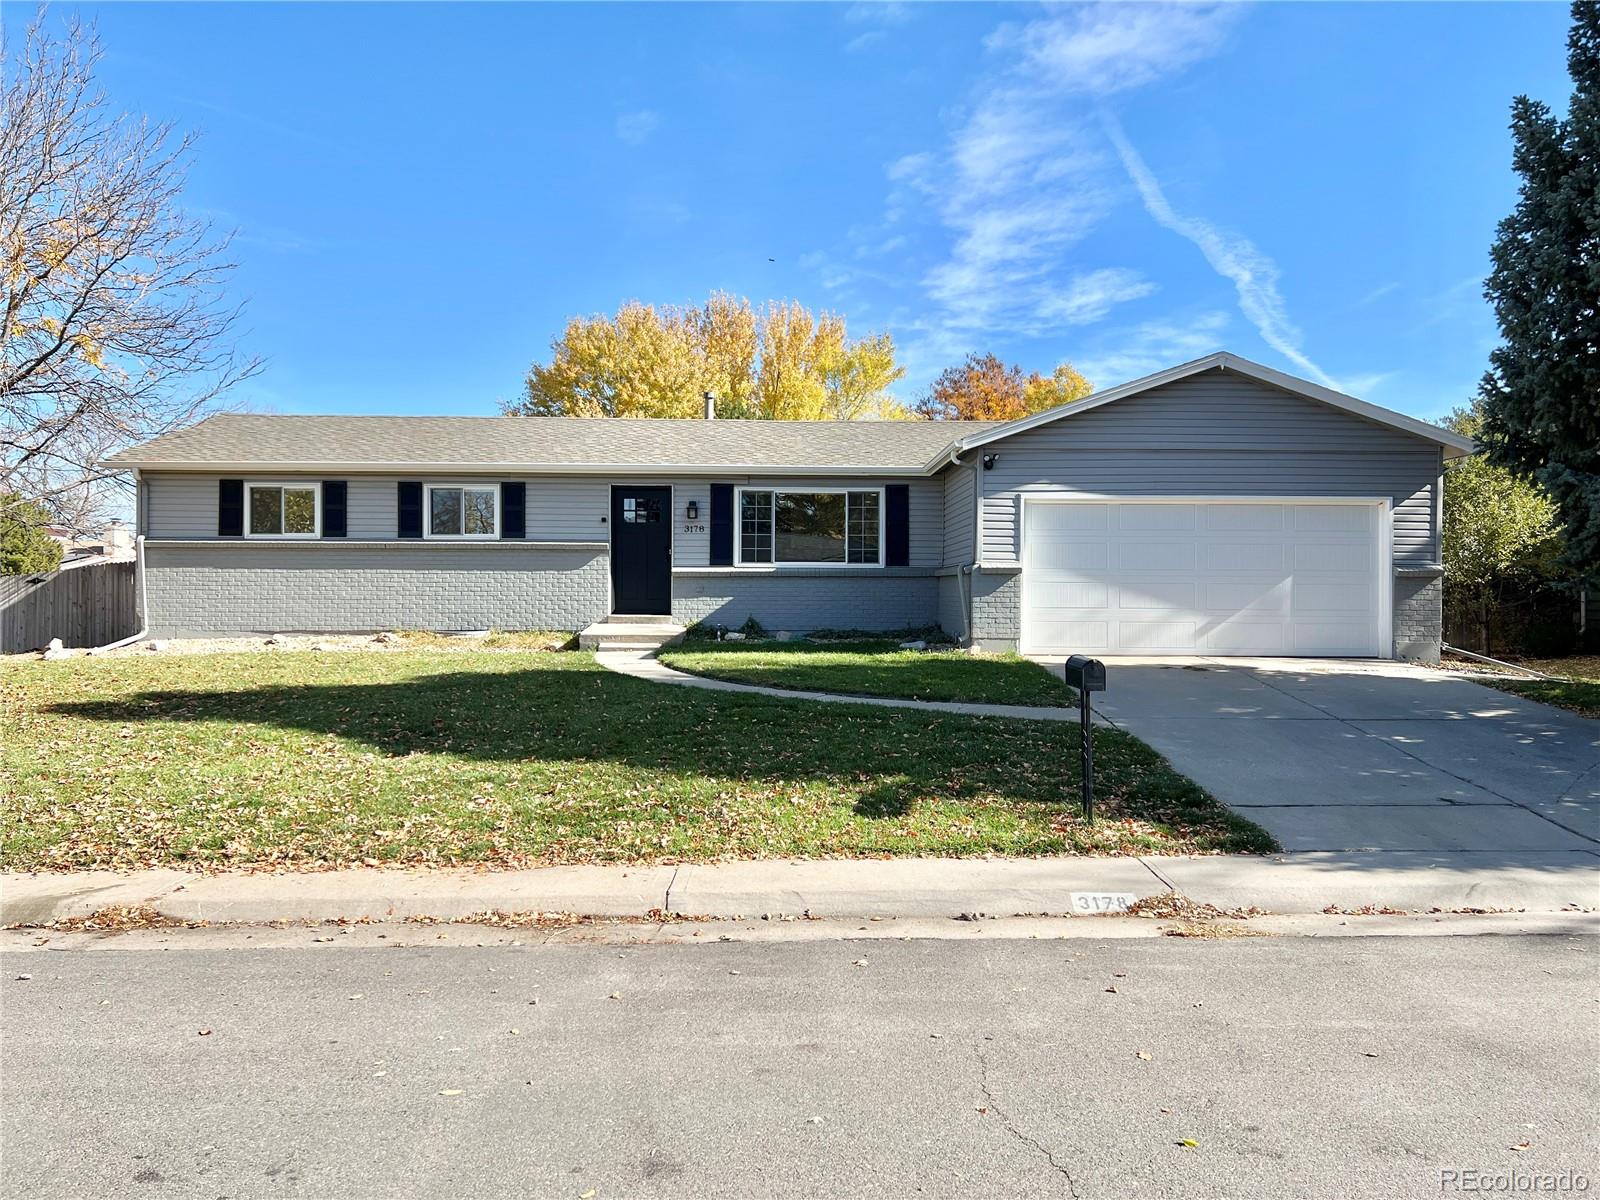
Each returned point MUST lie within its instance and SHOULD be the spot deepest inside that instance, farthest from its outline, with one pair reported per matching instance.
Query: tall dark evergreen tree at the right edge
(1542, 396)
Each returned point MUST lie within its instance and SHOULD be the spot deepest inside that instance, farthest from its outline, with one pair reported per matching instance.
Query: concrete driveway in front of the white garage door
(1369, 756)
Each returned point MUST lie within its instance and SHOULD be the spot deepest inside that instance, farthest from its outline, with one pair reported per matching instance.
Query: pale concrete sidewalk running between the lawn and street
(842, 889)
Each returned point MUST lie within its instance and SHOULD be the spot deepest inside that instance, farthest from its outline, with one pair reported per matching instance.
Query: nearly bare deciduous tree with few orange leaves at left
(114, 326)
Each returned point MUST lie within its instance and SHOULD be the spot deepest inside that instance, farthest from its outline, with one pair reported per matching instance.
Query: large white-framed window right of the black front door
(810, 527)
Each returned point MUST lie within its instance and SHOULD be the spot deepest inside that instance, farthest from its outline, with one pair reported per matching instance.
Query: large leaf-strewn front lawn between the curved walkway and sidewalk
(316, 759)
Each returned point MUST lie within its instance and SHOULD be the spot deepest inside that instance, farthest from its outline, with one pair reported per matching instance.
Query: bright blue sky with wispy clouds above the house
(425, 194)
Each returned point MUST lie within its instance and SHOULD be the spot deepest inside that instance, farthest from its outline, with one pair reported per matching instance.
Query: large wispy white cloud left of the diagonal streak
(1026, 177)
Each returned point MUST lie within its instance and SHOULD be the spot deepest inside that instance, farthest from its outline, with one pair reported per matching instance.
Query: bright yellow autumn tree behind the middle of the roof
(782, 362)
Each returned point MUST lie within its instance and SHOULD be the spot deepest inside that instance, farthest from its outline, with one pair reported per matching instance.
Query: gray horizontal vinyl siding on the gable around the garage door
(1217, 434)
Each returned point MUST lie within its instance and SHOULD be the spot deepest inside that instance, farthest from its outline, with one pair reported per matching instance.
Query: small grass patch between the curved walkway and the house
(874, 670)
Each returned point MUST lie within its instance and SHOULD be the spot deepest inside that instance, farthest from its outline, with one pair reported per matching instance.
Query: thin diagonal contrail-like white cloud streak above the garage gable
(1236, 258)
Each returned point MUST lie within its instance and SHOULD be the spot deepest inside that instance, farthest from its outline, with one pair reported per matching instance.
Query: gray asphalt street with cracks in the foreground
(1084, 1068)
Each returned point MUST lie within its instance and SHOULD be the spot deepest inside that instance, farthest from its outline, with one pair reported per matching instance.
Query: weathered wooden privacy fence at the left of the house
(82, 606)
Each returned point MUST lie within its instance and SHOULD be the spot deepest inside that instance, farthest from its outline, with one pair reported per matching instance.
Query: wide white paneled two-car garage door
(1202, 578)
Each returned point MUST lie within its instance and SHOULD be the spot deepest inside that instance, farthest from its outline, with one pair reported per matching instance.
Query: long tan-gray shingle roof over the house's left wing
(545, 444)
